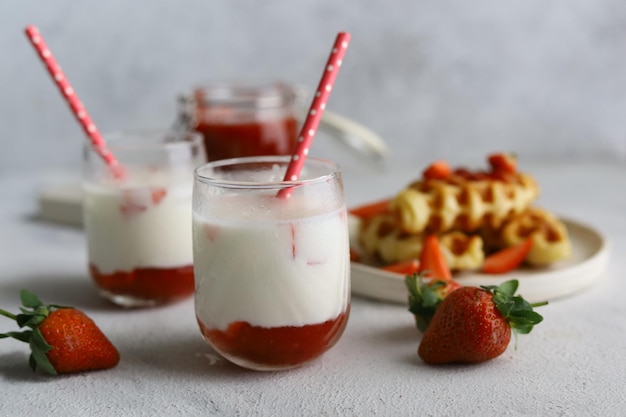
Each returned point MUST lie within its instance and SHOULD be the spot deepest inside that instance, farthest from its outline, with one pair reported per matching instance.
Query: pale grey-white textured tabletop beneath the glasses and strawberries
(573, 364)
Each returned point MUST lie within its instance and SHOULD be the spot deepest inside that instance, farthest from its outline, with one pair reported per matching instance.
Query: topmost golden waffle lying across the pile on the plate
(464, 201)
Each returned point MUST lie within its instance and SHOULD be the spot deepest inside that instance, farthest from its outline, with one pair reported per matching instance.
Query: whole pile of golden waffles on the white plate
(474, 213)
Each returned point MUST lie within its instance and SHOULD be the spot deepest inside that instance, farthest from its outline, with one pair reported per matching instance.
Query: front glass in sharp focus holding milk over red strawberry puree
(272, 273)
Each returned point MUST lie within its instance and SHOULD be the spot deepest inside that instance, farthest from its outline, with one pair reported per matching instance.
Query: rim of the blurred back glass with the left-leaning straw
(142, 139)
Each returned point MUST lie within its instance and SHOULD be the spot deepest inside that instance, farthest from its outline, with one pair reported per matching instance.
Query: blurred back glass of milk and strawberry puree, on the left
(138, 228)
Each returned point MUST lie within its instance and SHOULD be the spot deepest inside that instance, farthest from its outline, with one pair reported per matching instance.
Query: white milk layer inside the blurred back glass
(143, 223)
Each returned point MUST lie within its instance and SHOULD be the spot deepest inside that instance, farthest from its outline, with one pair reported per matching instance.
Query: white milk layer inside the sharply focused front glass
(271, 273)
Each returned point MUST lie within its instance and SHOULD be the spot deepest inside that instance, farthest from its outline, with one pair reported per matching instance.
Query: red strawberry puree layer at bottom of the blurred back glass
(156, 284)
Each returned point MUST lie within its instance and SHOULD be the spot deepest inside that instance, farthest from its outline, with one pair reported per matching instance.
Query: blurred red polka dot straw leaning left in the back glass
(72, 99)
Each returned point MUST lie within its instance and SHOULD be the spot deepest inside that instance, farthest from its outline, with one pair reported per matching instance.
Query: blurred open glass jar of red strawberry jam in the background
(242, 119)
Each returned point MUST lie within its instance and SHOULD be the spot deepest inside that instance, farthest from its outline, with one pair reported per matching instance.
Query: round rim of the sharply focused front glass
(333, 171)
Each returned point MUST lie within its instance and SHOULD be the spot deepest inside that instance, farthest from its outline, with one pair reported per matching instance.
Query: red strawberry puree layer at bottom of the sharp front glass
(276, 346)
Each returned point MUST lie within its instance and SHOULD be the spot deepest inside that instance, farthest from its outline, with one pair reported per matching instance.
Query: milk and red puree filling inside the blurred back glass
(139, 238)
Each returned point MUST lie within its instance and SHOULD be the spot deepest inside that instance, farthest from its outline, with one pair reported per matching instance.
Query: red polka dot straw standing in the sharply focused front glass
(307, 133)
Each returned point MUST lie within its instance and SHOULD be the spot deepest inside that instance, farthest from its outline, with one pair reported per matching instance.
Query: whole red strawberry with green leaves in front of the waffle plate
(473, 325)
